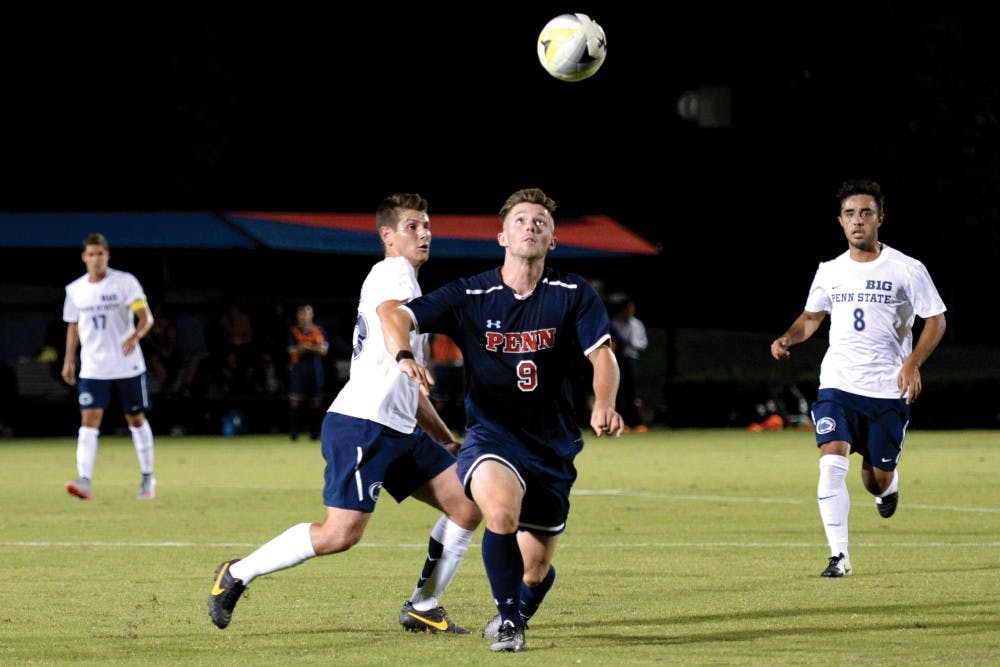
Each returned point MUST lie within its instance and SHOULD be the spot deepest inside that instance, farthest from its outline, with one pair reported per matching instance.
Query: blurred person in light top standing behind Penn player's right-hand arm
(629, 335)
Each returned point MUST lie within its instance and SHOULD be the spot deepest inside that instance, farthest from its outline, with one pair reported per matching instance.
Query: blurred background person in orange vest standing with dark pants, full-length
(307, 345)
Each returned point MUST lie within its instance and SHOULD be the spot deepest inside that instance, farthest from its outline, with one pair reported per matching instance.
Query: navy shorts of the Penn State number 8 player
(874, 427)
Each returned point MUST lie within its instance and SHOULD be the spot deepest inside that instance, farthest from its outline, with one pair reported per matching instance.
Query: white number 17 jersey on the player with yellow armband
(103, 314)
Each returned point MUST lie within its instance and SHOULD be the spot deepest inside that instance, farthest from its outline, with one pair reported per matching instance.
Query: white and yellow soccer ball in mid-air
(572, 47)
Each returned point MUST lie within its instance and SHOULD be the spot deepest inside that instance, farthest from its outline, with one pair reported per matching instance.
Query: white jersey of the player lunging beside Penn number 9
(377, 389)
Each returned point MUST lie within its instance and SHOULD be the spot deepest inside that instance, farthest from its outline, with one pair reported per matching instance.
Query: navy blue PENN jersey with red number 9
(519, 351)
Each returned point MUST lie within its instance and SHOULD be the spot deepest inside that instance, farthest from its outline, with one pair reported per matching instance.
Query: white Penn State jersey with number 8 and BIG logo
(872, 307)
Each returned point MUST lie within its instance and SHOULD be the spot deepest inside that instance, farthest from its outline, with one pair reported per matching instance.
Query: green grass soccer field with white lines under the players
(683, 547)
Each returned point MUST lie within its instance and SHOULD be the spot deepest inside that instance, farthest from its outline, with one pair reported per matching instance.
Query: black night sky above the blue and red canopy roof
(302, 109)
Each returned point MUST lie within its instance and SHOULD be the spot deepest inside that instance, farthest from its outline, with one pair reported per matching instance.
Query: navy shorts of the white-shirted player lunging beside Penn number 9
(363, 457)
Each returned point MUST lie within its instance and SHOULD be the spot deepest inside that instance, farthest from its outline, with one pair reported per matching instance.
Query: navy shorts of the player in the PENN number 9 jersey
(545, 476)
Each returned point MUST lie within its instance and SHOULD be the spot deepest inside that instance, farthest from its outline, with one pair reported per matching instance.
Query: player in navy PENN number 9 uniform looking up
(520, 328)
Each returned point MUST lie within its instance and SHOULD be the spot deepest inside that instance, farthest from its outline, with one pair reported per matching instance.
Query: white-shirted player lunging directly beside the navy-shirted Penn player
(377, 435)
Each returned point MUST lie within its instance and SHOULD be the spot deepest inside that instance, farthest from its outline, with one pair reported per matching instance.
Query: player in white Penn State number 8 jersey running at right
(870, 373)
